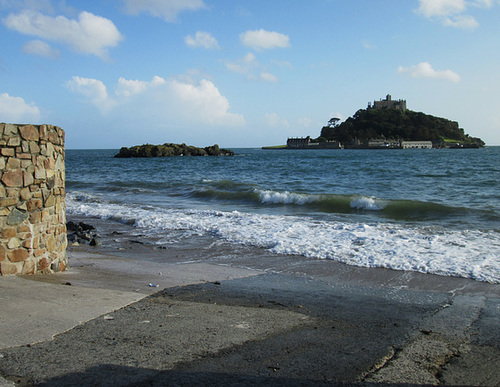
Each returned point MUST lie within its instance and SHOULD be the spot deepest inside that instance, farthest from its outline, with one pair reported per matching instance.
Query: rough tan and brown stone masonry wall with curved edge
(32, 206)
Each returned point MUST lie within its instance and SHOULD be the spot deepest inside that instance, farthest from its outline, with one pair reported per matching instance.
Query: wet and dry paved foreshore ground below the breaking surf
(205, 313)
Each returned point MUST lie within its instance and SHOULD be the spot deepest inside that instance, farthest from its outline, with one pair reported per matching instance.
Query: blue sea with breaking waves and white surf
(431, 211)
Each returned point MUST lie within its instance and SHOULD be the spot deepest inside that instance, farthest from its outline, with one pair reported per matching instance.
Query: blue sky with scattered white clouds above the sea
(242, 73)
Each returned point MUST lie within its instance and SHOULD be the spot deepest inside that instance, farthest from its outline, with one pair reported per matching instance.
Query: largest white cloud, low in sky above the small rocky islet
(180, 100)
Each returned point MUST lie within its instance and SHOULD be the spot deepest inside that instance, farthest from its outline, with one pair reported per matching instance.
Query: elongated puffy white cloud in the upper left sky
(90, 34)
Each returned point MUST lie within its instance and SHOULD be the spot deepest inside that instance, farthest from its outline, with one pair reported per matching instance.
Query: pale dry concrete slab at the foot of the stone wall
(35, 308)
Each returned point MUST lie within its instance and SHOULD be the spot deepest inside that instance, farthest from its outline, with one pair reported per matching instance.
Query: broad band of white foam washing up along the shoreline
(471, 254)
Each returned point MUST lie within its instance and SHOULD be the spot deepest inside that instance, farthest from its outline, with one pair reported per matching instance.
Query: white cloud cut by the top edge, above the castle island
(451, 12)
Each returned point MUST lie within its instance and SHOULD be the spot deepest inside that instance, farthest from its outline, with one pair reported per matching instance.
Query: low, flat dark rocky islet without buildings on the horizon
(170, 150)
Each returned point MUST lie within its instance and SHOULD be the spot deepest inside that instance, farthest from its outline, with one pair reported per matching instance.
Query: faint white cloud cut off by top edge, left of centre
(164, 9)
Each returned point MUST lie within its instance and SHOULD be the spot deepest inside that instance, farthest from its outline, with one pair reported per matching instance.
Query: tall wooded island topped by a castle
(387, 124)
